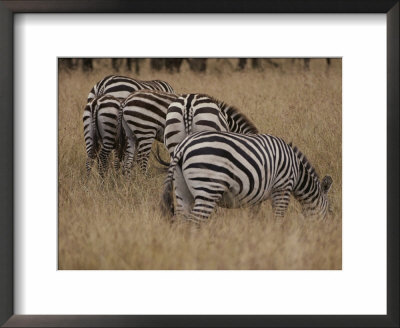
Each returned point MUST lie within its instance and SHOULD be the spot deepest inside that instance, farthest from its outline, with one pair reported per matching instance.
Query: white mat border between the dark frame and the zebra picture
(360, 288)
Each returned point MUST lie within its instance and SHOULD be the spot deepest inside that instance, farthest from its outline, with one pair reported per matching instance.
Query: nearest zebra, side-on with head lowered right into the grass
(234, 170)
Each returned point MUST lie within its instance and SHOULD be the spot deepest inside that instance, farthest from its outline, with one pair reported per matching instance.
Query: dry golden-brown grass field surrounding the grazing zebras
(118, 224)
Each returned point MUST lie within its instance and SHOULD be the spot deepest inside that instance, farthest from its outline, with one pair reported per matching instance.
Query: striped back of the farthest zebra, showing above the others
(122, 86)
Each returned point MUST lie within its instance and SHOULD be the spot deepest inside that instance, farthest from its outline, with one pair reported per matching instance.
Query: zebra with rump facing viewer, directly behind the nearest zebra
(192, 113)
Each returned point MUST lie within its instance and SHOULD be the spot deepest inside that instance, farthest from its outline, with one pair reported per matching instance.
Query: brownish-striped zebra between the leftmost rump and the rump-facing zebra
(144, 113)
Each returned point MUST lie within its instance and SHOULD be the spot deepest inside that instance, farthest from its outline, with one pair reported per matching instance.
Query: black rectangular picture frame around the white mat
(7, 11)
